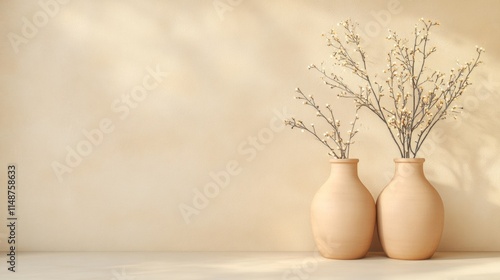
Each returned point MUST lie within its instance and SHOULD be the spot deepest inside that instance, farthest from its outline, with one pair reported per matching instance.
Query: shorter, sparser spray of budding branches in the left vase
(332, 138)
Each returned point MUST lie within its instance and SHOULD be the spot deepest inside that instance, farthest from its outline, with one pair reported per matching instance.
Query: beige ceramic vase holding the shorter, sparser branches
(343, 213)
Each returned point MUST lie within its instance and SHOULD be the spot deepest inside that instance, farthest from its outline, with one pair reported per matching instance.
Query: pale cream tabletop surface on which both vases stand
(246, 265)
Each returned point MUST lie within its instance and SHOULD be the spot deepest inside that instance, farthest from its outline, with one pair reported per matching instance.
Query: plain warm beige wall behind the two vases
(232, 67)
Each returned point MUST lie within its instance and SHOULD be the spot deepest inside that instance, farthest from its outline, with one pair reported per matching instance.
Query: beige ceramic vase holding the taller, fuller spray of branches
(410, 213)
